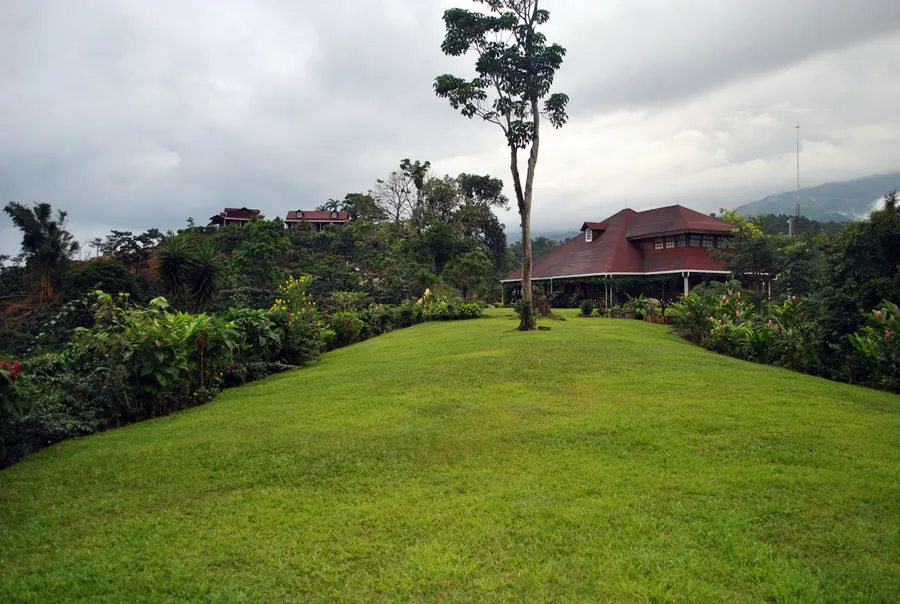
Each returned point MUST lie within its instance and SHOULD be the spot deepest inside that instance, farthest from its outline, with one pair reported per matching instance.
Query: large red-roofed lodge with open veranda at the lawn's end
(659, 252)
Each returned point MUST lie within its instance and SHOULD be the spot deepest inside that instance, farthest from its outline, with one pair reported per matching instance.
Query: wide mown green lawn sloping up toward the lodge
(604, 460)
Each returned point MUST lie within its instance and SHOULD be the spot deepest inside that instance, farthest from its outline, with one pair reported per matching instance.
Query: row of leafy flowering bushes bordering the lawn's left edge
(134, 362)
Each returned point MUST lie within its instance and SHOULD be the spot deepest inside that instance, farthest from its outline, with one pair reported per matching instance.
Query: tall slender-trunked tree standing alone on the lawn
(515, 69)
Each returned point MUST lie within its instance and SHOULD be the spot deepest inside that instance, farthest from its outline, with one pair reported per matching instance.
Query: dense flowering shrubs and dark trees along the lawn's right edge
(834, 309)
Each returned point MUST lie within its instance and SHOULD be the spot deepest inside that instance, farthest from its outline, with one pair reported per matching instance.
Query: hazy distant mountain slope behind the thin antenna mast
(838, 201)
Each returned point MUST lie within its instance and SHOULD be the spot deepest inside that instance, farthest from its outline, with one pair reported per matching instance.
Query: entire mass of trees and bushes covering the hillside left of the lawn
(161, 322)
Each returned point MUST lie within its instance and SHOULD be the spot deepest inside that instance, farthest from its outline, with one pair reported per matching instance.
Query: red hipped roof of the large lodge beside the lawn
(617, 247)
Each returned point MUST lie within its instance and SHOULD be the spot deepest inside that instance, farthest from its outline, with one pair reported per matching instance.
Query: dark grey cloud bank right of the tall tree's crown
(656, 52)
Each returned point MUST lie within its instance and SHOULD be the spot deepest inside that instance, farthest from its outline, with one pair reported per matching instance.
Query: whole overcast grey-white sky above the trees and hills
(132, 114)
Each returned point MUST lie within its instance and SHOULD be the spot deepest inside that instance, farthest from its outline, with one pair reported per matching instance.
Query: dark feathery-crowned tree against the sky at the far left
(46, 244)
